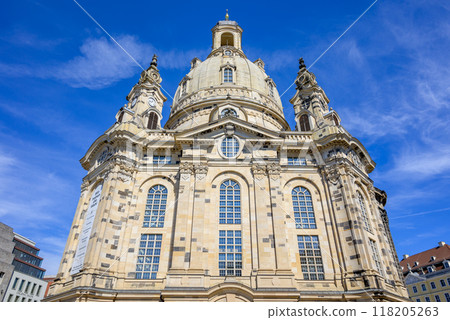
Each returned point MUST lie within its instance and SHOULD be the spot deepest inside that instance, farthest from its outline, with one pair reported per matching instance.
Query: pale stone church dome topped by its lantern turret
(227, 77)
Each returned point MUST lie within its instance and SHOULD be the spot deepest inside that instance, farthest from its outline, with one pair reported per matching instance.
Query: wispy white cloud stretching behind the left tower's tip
(101, 63)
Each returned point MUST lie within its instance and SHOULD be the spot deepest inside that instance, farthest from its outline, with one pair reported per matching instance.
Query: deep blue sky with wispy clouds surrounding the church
(62, 80)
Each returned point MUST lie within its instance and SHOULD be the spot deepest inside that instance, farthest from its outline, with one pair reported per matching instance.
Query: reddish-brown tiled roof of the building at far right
(424, 258)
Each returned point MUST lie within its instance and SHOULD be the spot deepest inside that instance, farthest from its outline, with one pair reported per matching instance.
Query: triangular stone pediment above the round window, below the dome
(223, 126)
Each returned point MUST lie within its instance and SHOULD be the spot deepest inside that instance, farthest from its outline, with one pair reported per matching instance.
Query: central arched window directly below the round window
(230, 203)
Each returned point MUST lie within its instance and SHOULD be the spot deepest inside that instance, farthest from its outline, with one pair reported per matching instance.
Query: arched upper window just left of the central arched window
(155, 209)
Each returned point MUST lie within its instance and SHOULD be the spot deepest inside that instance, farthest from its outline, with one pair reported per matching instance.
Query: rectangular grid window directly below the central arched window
(230, 253)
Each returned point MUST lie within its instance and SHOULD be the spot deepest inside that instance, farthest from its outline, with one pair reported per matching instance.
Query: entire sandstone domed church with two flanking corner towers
(226, 202)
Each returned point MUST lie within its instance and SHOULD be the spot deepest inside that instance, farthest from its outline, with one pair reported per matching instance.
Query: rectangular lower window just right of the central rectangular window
(310, 257)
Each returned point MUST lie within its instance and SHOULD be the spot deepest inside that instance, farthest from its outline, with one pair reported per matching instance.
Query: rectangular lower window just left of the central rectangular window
(148, 259)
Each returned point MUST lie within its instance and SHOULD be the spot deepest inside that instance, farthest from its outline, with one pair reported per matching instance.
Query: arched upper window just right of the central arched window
(303, 209)
